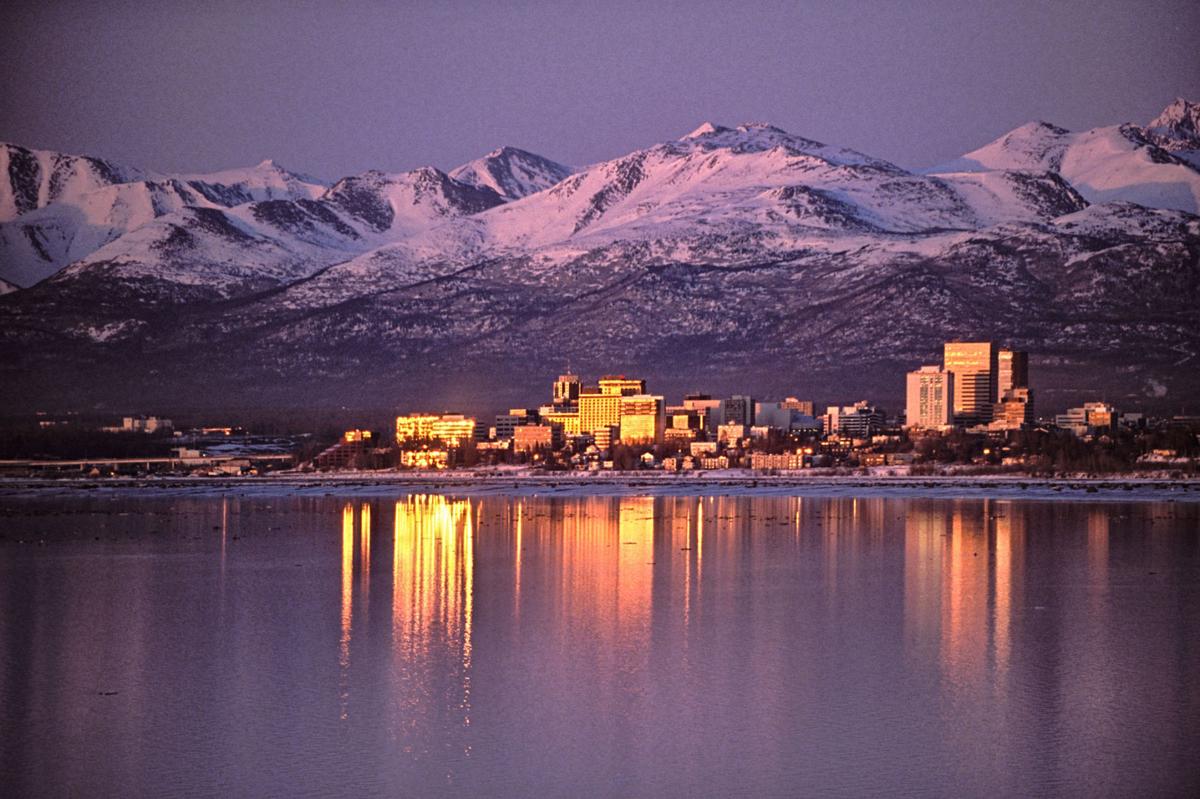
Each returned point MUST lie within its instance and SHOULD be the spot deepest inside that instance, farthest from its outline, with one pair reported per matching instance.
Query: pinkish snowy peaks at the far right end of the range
(1115, 164)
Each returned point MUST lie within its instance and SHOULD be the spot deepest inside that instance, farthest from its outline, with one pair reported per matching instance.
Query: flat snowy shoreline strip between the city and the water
(527, 484)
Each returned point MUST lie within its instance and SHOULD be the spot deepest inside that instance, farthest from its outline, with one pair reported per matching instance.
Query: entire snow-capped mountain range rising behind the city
(709, 255)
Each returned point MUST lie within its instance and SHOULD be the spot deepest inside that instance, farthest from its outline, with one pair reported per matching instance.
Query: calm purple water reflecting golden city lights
(616, 647)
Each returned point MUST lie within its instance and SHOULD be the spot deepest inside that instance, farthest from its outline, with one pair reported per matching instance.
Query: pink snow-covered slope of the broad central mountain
(718, 196)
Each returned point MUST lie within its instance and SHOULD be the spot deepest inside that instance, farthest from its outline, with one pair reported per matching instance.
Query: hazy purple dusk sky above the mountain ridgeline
(201, 86)
